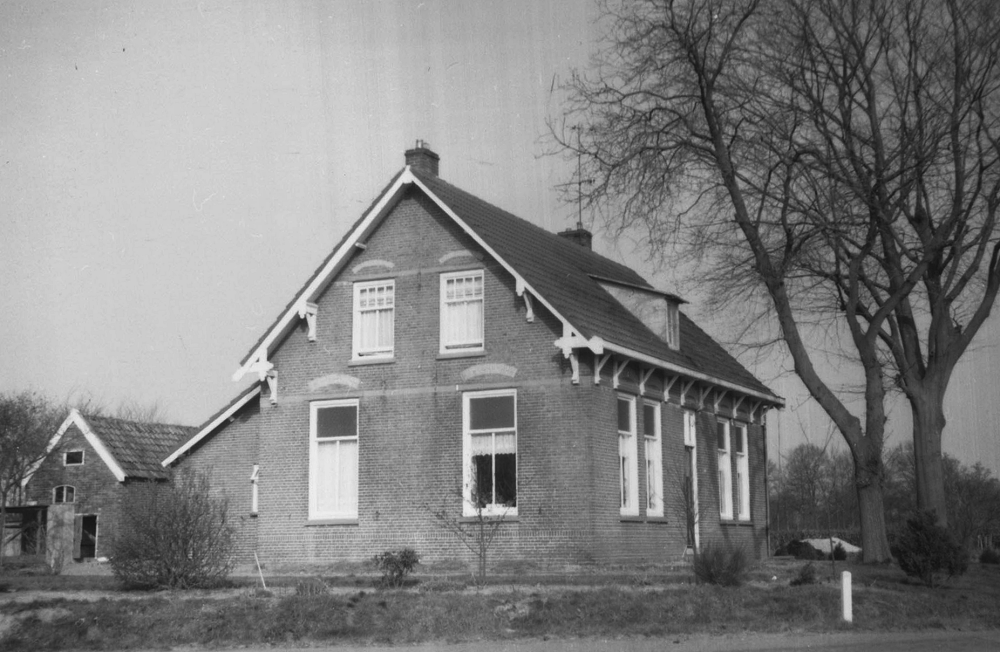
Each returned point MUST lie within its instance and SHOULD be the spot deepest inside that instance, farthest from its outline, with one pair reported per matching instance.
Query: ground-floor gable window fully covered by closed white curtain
(333, 460)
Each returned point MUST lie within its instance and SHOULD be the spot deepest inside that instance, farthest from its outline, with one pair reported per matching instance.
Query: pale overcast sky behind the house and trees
(172, 172)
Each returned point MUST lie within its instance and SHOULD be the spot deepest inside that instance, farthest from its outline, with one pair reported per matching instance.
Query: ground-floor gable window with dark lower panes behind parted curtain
(490, 444)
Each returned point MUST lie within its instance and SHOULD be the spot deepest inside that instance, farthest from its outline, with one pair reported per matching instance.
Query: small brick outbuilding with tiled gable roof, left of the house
(77, 489)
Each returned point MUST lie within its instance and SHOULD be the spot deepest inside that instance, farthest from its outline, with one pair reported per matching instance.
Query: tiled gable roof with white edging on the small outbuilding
(130, 449)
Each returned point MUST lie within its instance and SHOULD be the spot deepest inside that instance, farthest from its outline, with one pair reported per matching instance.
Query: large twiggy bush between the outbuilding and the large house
(172, 535)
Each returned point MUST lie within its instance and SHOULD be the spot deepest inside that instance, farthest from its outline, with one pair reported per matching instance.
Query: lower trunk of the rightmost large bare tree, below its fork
(927, 408)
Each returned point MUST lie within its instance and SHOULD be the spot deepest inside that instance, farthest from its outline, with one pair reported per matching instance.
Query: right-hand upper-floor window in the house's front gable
(462, 312)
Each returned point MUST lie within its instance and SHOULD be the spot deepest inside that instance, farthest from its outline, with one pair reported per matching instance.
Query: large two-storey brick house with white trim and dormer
(451, 358)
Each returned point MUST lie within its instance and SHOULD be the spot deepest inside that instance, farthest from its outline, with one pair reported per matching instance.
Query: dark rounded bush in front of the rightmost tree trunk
(925, 548)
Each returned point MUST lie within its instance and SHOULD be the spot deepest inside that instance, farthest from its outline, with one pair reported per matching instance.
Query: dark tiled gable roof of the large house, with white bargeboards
(557, 272)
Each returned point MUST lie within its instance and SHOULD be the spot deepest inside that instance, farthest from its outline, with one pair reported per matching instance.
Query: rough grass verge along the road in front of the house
(442, 610)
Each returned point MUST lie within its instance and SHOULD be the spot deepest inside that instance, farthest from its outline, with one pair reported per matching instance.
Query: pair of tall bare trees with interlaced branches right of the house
(827, 158)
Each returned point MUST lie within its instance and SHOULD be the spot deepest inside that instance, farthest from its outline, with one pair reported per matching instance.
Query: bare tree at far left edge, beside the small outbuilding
(27, 423)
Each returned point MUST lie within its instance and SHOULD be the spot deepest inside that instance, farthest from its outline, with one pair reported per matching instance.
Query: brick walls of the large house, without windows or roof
(410, 433)
